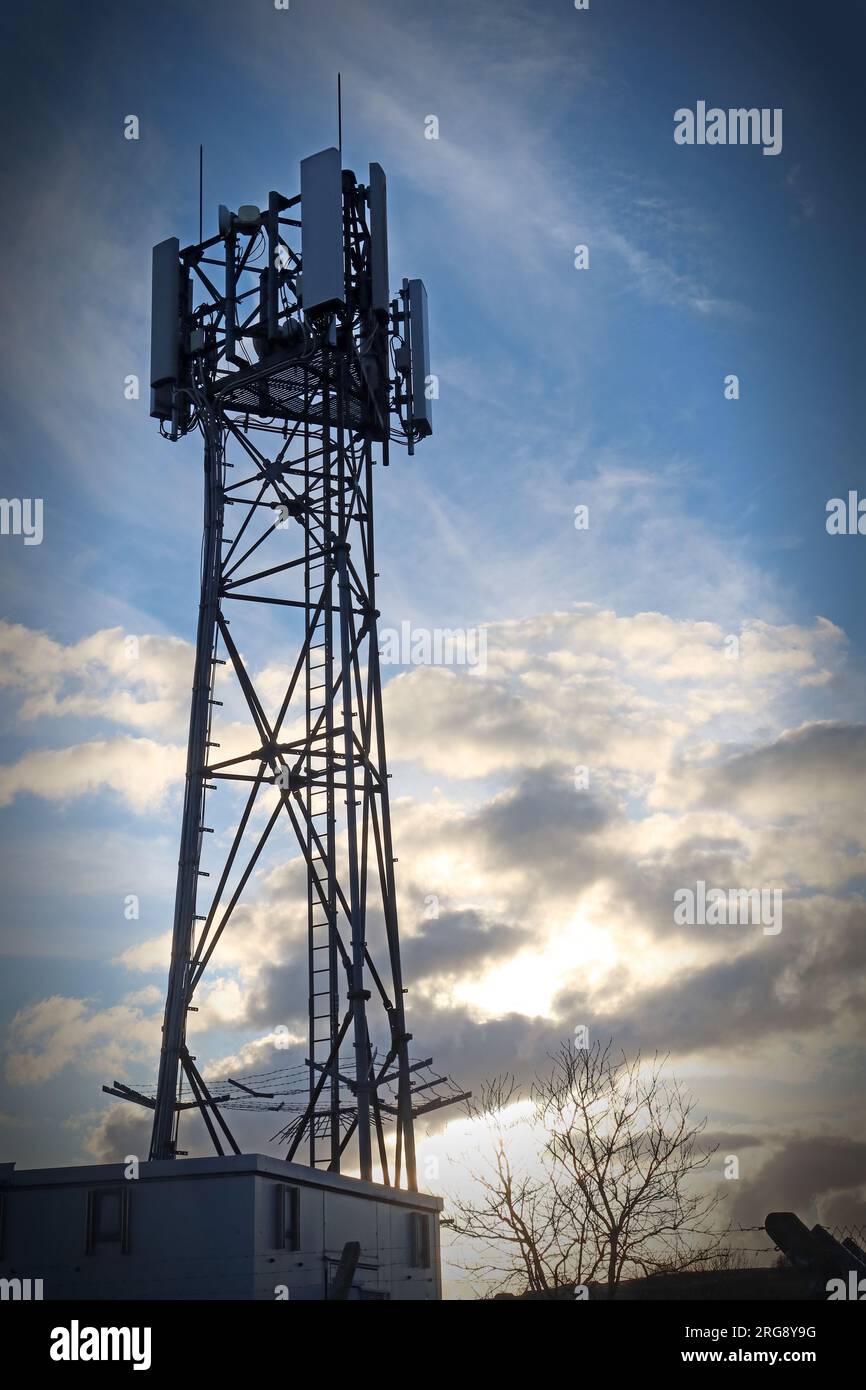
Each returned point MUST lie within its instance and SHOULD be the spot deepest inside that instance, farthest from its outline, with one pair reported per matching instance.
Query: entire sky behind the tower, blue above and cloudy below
(698, 648)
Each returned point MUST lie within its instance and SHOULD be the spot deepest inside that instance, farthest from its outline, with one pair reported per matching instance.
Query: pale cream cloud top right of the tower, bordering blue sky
(600, 689)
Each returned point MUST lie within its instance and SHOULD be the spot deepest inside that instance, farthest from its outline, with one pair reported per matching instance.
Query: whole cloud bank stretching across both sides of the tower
(554, 896)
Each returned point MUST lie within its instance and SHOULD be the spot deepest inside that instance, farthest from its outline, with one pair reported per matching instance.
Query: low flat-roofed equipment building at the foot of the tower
(209, 1229)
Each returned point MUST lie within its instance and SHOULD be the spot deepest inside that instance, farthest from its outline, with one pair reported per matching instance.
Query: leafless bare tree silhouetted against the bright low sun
(608, 1191)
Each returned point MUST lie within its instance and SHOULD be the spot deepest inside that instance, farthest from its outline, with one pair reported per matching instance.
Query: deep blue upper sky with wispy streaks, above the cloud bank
(551, 112)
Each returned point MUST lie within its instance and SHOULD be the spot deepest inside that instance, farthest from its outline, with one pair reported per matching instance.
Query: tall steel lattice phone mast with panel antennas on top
(287, 372)
